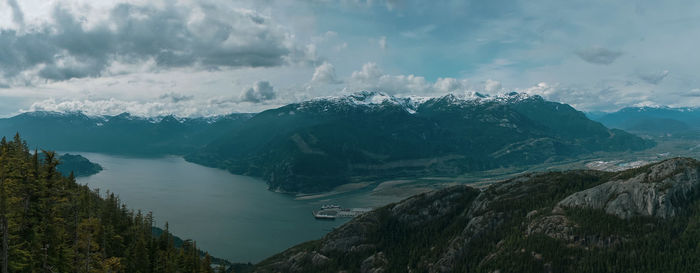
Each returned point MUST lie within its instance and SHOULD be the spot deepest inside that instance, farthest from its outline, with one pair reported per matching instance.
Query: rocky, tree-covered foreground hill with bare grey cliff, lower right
(552, 222)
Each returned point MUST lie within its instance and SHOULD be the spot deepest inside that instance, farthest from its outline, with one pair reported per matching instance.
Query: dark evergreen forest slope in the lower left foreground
(49, 223)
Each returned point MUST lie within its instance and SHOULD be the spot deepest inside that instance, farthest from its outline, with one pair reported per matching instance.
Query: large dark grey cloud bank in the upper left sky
(132, 34)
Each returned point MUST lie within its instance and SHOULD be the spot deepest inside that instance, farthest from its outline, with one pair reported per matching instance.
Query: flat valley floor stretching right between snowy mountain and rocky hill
(382, 192)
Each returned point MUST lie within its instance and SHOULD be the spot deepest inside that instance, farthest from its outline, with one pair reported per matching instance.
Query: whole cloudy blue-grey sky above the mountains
(211, 57)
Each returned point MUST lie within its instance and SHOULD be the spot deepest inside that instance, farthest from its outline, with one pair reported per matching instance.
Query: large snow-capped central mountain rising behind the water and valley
(316, 145)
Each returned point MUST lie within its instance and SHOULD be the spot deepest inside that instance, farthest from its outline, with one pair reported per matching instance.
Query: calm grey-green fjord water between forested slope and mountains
(230, 216)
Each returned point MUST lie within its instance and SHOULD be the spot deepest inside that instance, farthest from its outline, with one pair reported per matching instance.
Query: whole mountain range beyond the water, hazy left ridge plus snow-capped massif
(316, 145)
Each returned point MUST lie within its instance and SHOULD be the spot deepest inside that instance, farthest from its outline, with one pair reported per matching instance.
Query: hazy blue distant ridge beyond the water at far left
(119, 134)
